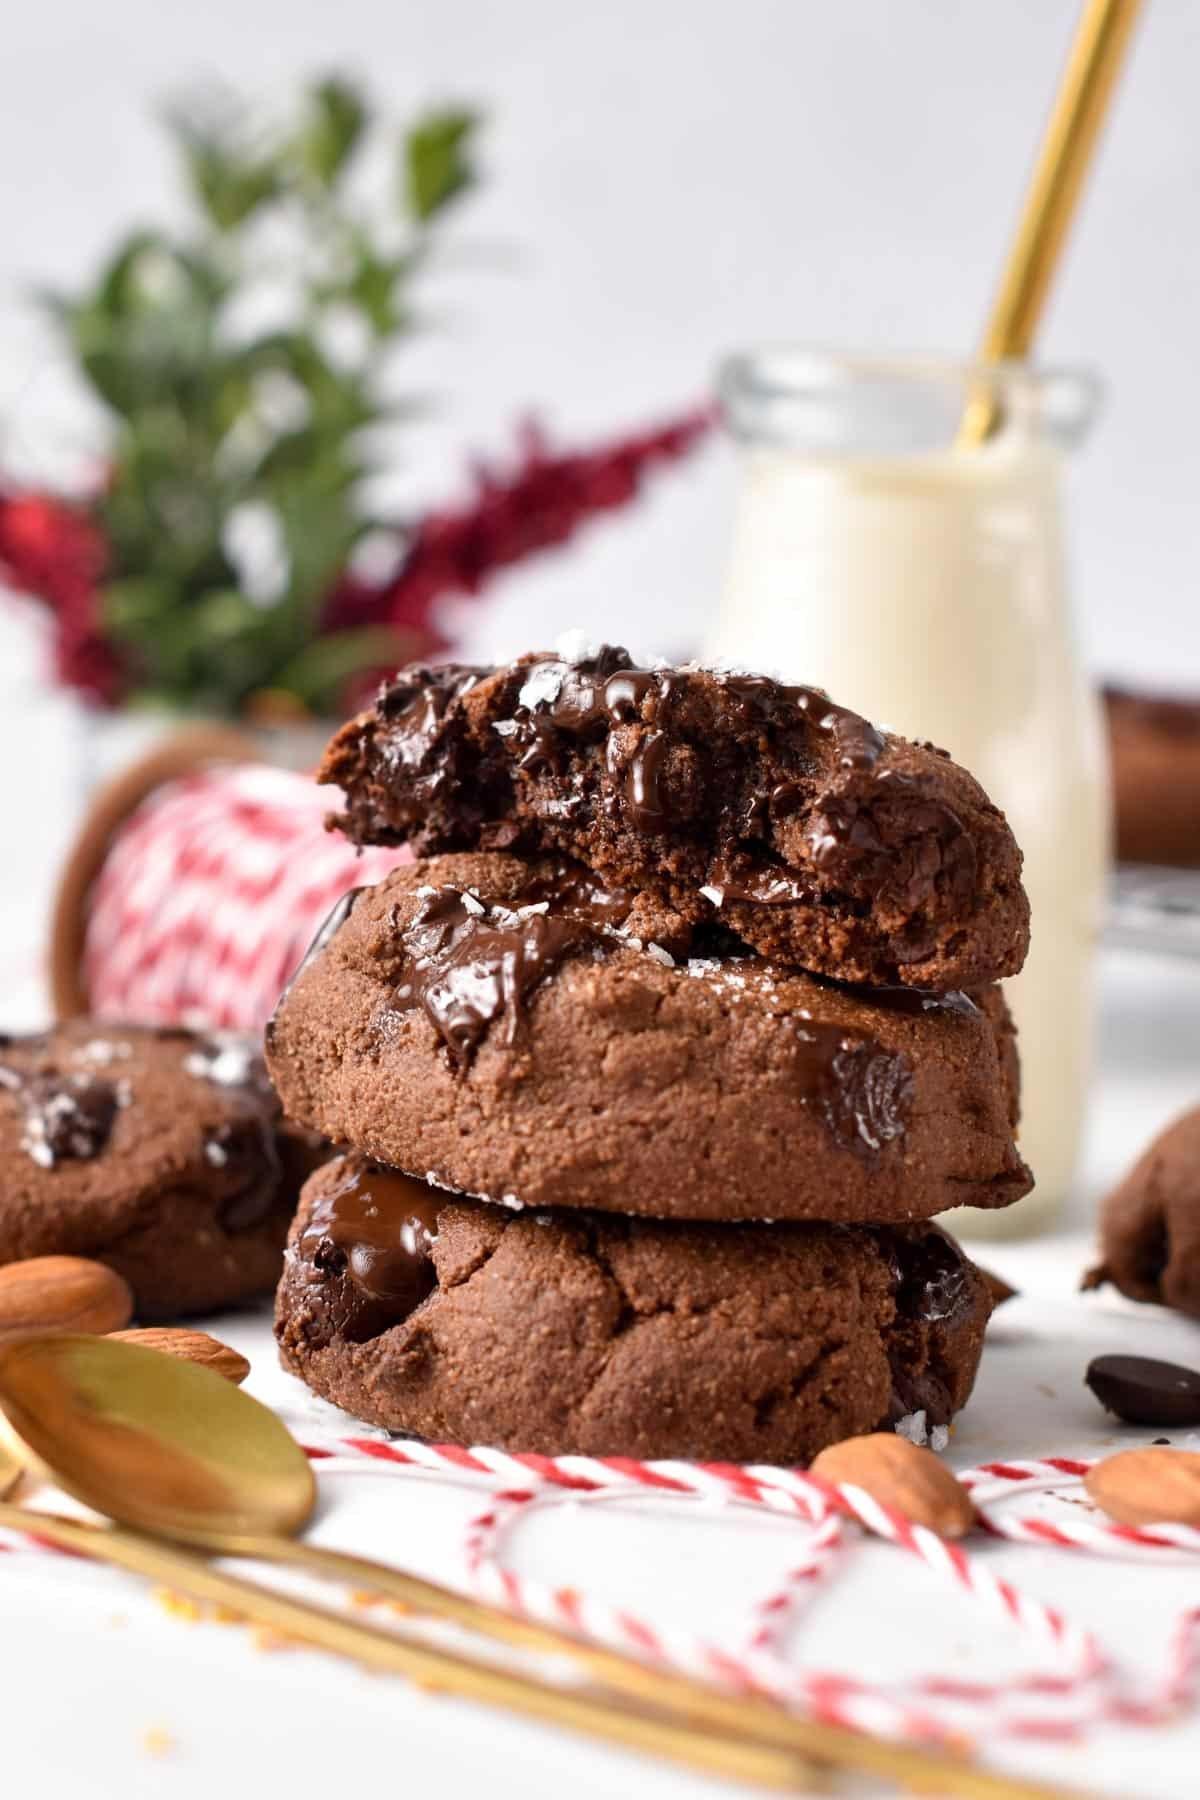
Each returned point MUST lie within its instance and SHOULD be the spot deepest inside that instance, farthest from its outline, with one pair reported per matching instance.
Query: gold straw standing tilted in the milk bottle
(1084, 94)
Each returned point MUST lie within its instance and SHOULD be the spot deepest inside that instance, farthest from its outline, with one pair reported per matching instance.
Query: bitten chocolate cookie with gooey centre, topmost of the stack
(816, 838)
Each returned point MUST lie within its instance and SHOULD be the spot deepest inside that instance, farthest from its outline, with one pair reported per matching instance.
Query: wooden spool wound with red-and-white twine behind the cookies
(195, 885)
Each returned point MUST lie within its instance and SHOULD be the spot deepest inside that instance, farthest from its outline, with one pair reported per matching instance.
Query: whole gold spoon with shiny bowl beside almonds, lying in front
(174, 1450)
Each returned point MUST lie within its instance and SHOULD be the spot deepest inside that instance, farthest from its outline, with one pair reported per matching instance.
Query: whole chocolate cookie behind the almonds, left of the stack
(159, 1153)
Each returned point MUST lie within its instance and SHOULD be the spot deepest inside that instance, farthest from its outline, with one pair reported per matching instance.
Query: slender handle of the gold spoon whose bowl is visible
(681, 1696)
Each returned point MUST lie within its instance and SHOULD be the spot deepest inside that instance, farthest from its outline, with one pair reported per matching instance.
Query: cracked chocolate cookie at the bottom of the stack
(600, 1335)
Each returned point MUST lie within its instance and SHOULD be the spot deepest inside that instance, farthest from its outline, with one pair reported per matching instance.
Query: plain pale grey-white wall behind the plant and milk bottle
(670, 179)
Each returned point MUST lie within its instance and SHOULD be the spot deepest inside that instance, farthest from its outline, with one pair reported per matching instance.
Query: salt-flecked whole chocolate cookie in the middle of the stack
(496, 1025)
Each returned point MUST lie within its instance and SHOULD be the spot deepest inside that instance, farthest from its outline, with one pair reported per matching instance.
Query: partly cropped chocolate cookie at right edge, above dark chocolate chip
(1151, 1223)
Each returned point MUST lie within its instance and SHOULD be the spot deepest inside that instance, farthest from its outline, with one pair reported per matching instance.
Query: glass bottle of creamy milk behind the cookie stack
(922, 584)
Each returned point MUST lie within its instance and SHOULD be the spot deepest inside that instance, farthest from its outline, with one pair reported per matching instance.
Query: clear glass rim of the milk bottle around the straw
(785, 393)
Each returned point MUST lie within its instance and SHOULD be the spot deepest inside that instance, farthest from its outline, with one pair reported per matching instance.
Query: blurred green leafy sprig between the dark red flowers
(224, 433)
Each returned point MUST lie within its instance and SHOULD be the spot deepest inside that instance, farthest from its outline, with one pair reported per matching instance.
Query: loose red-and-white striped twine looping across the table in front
(1071, 1687)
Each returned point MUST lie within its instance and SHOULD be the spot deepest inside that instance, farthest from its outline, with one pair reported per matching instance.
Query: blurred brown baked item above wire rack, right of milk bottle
(1156, 778)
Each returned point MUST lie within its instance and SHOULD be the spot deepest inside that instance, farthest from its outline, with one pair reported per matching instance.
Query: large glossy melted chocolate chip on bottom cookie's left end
(375, 1236)
